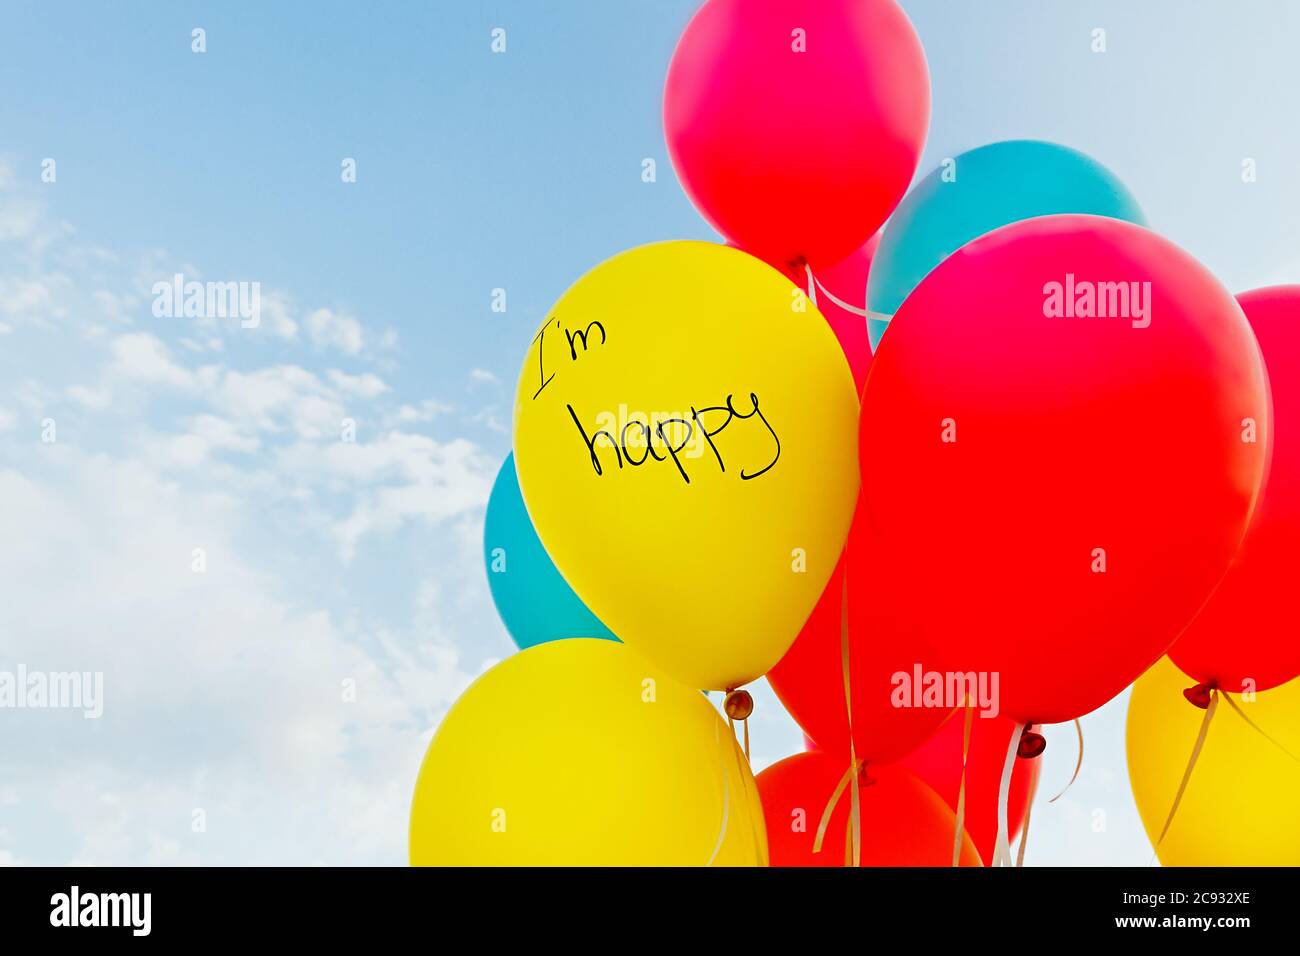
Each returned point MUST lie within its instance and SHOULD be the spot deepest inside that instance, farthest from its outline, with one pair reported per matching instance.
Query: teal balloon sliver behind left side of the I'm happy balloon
(531, 595)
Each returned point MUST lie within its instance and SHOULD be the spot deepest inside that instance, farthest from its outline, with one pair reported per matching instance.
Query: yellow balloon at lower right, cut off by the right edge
(1240, 808)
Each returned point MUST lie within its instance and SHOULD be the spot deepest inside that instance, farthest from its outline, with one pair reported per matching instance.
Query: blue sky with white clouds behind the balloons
(331, 564)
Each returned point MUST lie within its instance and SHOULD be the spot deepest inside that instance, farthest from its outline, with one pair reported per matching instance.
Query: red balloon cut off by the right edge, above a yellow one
(1246, 638)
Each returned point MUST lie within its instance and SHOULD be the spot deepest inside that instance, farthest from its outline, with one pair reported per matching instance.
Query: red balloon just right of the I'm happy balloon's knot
(809, 681)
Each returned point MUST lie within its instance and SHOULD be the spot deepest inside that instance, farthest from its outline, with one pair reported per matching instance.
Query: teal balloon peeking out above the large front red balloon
(995, 185)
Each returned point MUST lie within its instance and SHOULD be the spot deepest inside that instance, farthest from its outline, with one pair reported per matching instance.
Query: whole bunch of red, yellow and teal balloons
(999, 520)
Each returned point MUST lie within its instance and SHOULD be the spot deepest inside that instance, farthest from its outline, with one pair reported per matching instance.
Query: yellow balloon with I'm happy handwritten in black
(708, 548)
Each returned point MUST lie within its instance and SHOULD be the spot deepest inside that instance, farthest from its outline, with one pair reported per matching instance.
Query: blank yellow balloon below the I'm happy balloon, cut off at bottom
(578, 752)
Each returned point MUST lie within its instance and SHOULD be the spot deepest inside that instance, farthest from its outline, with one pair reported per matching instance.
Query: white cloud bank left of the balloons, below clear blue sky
(223, 689)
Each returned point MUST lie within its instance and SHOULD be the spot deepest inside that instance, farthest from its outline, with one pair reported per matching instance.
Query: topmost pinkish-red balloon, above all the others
(796, 126)
